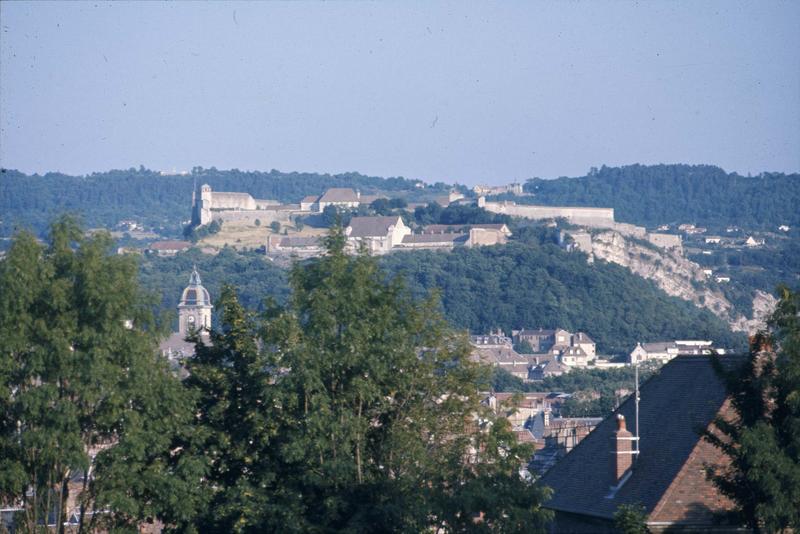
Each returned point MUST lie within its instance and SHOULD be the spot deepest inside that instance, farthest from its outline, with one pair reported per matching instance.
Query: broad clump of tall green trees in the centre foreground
(355, 410)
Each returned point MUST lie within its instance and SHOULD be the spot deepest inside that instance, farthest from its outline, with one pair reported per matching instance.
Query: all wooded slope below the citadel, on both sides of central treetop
(530, 283)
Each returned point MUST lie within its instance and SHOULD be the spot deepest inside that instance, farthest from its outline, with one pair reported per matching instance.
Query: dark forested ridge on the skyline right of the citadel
(651, 195)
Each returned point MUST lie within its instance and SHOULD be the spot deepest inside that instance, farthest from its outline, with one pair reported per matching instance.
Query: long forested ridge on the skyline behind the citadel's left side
(160, 202)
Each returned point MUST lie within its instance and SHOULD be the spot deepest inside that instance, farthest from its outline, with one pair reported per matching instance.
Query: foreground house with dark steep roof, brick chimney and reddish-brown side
(664, 470)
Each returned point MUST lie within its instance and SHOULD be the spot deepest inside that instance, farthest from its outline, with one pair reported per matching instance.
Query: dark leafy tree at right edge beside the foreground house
(762, 438)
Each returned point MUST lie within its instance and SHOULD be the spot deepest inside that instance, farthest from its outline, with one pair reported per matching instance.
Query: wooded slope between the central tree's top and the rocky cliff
(524, 285)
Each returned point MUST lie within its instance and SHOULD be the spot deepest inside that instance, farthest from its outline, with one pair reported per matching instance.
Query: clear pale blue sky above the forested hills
(438, 91)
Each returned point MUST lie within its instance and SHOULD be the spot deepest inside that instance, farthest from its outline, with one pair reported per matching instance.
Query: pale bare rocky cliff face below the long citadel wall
(677, 276)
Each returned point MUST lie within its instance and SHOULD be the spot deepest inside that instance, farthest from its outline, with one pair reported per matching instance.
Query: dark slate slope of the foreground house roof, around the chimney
(683, 397)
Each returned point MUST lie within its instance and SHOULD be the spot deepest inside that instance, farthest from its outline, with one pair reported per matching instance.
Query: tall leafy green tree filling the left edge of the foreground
(82, 390)
